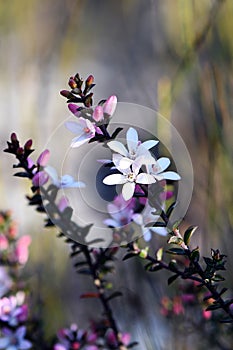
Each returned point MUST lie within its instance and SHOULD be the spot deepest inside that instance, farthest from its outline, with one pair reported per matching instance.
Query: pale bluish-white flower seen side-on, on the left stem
(66, 181)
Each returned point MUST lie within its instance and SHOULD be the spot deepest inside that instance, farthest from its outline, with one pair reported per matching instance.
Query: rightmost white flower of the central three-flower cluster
(157, 170)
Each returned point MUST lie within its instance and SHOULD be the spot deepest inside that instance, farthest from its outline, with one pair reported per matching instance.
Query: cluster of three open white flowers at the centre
(129, 163)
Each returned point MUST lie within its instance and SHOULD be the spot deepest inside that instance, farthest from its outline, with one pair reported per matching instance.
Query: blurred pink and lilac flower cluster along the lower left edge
(13, 306)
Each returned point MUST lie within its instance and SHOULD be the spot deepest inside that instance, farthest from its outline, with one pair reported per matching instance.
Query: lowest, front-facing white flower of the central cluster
(129, 178)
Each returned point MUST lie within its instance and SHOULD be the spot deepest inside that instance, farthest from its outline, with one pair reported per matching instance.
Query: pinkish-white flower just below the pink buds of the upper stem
(84, 129)
